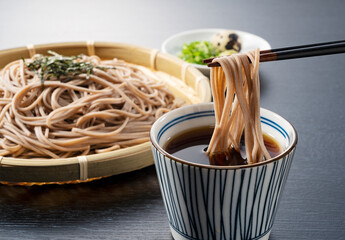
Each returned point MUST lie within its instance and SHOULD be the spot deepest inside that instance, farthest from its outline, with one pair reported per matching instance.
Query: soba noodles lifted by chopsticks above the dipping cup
(236, 93)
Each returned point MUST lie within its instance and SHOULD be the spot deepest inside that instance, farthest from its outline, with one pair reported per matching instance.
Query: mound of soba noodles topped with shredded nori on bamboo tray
(57, 106)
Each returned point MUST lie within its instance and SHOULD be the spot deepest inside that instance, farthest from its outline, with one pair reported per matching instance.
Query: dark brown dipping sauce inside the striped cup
(191, 146)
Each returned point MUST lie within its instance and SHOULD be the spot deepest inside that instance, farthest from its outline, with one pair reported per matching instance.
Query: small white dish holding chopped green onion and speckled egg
(173, 44)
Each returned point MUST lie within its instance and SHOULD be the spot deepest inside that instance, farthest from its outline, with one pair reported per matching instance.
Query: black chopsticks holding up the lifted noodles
(310, 50)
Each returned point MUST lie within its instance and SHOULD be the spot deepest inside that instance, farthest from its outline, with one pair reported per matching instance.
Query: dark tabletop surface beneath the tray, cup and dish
(309, 92)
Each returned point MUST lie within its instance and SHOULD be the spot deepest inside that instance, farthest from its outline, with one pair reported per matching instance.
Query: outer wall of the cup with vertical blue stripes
(221, 204)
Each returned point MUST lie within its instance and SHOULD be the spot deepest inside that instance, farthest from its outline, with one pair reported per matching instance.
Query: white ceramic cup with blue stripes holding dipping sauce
(220, 202)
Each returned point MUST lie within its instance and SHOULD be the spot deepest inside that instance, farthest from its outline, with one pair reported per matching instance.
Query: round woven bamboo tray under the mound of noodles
(183, 80)
